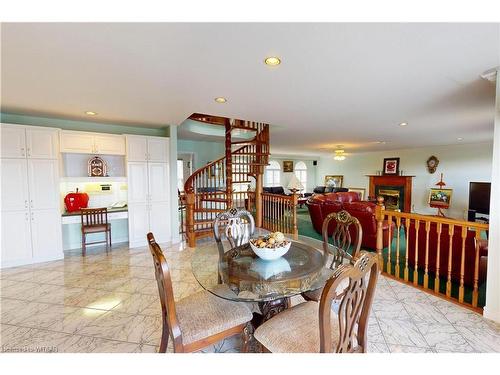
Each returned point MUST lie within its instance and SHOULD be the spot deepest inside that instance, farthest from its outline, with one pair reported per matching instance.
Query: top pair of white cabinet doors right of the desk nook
(141, 148)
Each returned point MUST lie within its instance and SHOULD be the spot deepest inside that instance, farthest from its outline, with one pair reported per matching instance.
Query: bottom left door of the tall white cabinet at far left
(16, 238)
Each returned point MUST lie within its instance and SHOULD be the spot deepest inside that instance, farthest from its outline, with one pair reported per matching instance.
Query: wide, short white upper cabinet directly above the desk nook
(92, 143)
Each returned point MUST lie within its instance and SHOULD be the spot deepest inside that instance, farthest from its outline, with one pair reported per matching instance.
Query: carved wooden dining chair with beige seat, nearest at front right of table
(313, 327)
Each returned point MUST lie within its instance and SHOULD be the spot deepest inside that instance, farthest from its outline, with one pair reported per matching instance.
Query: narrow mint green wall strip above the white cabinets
(91, 126)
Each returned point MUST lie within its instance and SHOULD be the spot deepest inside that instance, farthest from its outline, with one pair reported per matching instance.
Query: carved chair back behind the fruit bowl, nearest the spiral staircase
(237, 225)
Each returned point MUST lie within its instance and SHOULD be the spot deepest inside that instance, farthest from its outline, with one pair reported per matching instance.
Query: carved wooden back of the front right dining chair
(350, 286)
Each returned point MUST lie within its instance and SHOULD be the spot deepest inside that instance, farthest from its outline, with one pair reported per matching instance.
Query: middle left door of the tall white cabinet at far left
(14, 184)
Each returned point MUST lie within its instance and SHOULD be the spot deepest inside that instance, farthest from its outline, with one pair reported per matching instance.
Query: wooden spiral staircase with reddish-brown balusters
(225, 182)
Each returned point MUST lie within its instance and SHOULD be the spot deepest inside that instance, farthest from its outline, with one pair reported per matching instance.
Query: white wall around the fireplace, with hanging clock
(459, 163)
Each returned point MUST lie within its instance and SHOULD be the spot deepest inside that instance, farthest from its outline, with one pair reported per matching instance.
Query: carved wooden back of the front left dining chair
(162, 274)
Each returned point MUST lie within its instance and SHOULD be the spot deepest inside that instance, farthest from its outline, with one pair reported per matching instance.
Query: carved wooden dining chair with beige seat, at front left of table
(198, 320)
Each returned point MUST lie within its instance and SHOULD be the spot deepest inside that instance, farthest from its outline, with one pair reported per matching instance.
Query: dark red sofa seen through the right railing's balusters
(470, 252)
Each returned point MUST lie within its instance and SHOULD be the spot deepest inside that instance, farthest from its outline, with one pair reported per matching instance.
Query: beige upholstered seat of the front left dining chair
(203, 315)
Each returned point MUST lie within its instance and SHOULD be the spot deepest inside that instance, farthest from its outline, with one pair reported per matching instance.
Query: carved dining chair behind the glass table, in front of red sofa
(343, 246)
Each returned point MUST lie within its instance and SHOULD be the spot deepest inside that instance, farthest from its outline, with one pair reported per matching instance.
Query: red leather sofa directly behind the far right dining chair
(321, 205)
